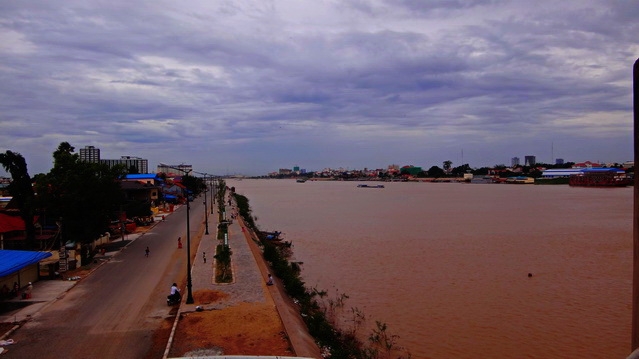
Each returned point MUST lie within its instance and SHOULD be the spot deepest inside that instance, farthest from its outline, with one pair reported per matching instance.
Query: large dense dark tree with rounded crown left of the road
(82, 196)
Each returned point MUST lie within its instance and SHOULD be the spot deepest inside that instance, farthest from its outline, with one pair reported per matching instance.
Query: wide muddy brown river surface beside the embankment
(446, 265)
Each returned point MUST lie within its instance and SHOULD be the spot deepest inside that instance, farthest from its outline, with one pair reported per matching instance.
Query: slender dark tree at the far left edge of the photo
(22, 191)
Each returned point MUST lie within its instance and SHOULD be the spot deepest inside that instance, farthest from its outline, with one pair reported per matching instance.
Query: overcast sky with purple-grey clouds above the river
(248, 87)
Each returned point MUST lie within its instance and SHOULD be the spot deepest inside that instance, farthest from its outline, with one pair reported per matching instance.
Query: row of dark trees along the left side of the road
(81, 198)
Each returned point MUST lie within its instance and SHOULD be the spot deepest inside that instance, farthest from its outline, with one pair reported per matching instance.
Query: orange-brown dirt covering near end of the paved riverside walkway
(244, 329)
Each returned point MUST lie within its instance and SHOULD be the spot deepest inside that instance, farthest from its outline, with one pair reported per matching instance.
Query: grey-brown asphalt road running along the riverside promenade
(114, 312)
